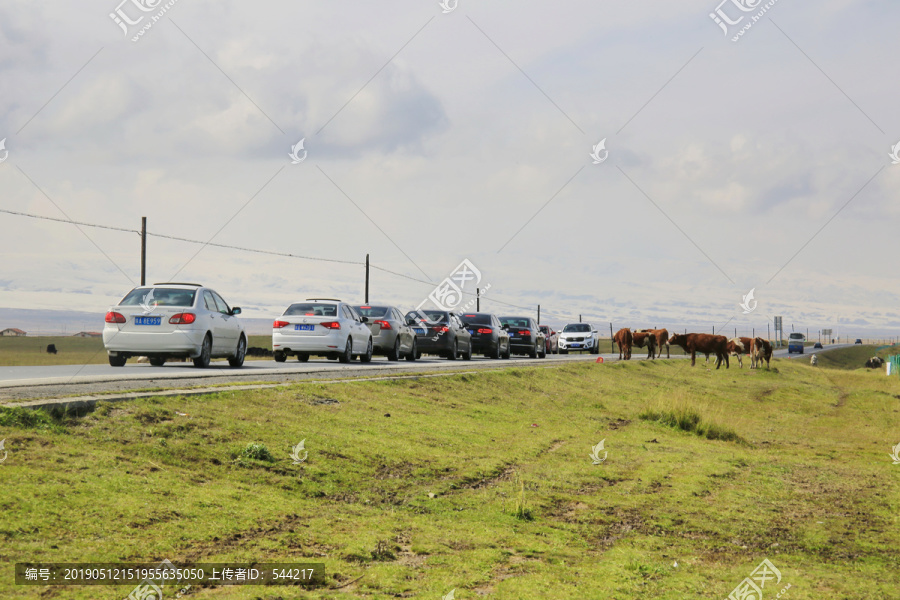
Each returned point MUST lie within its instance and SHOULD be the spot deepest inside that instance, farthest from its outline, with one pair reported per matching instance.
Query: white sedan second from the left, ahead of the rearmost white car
(321, 327)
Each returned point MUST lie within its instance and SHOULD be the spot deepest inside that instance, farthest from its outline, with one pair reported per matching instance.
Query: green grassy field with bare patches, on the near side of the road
(480, 483)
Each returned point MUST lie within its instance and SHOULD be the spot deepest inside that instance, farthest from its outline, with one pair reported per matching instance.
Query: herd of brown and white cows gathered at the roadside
(653, 339)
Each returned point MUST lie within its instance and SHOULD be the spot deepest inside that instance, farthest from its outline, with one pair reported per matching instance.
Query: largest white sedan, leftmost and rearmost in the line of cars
(174, 320)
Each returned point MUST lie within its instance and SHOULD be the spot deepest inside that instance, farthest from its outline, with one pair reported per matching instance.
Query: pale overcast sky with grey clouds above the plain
(431, 137)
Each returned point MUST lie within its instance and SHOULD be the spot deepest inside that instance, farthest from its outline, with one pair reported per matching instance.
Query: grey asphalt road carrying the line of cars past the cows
(24, 383)
